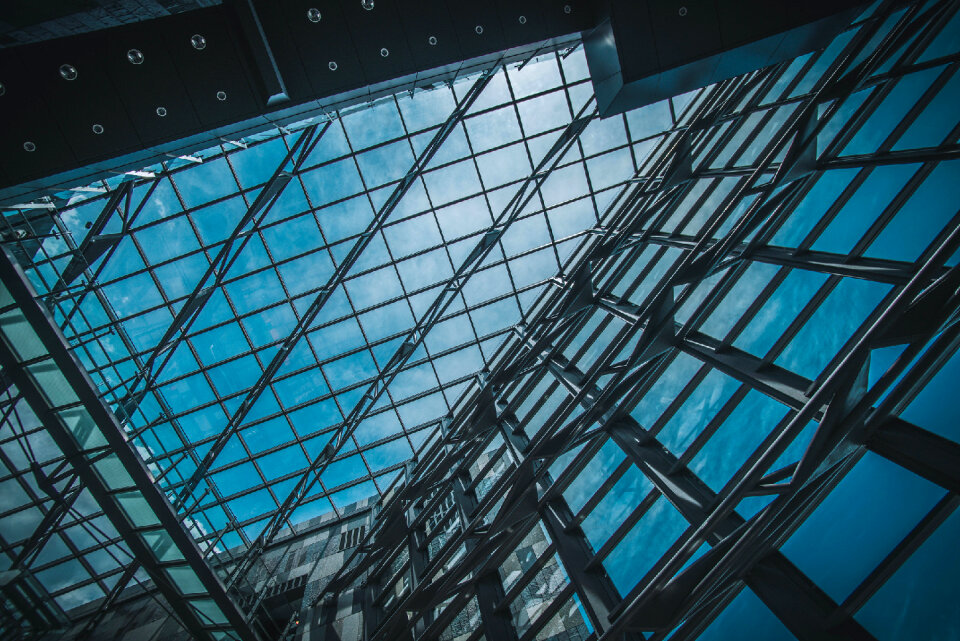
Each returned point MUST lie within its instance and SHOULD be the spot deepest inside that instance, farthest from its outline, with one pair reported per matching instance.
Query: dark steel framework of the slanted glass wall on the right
(413, 592)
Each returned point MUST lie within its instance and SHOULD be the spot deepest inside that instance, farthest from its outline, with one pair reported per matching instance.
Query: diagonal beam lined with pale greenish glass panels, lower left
(36, 356)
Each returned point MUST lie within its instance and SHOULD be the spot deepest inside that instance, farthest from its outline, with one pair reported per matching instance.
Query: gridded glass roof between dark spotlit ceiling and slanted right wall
(189, 226)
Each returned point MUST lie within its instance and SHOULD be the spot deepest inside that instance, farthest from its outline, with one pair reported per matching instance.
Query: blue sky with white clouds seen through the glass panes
(347, 178)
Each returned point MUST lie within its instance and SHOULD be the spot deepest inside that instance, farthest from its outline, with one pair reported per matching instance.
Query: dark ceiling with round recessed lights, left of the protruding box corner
(217, 90)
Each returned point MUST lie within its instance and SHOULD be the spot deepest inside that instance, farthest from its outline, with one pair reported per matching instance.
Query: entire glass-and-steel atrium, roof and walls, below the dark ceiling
(472, 362)
